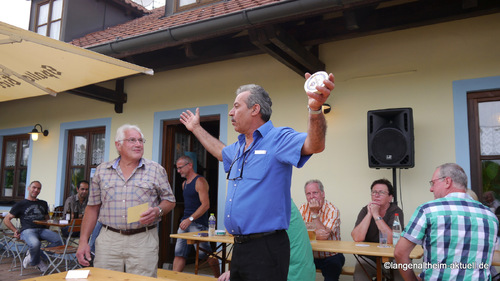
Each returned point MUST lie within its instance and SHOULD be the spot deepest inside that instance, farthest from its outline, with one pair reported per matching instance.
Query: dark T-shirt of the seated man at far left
(28, 211)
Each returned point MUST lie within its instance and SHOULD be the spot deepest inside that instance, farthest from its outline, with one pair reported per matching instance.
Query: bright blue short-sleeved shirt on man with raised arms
(264, 186)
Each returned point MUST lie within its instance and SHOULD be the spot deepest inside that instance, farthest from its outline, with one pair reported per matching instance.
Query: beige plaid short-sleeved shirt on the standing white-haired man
(147, 184)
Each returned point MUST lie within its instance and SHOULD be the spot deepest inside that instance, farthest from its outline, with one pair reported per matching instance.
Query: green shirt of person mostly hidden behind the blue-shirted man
(302, 266)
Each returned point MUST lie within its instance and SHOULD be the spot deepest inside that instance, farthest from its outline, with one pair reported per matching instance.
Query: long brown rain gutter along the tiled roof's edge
(222, 23)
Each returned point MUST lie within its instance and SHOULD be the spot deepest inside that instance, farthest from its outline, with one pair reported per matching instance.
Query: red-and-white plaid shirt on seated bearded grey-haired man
(330, 217)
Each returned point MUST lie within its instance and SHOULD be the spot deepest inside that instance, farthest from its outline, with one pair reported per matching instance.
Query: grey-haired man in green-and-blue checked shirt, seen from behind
(456, 231)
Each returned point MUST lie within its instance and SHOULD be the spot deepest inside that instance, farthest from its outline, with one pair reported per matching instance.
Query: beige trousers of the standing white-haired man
(137, 253)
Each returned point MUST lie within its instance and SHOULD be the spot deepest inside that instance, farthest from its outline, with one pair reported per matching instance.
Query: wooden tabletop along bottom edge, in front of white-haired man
(99, 274)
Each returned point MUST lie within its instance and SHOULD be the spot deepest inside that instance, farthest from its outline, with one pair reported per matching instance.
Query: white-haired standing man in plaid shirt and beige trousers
(125, 182)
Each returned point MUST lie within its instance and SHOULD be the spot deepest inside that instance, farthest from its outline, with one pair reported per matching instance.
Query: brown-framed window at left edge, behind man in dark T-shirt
(15, 156)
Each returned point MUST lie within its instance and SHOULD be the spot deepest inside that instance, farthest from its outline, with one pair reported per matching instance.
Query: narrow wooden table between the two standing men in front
(196, 239)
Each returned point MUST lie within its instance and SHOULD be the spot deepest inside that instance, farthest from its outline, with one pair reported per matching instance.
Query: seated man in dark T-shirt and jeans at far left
(27, 211)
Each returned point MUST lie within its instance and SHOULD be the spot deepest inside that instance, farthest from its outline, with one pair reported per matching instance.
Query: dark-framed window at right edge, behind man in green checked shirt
(484, 138)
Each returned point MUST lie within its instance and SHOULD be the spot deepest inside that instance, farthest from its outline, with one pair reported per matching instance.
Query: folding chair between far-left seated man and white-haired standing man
(65, 253)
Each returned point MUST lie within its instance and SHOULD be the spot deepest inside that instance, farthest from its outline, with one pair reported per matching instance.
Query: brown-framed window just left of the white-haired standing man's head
(85, 153)
